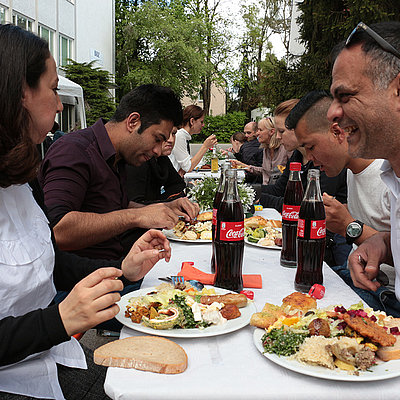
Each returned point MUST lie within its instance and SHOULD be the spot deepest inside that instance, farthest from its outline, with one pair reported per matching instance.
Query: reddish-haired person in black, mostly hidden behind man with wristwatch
(336, 250)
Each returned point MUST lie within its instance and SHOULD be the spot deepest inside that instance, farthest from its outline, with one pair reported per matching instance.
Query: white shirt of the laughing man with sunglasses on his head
(393, 183)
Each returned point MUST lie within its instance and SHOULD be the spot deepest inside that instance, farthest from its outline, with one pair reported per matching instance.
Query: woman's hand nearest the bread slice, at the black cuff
(91, 301)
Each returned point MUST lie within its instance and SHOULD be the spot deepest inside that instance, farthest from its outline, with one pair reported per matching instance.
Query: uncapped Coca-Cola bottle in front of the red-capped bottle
(311, 236)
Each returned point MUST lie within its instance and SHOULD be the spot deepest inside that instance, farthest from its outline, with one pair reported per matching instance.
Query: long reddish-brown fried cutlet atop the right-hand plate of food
(368, 328)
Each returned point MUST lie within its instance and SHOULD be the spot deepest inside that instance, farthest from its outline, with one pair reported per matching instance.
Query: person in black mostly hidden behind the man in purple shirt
(156, 180)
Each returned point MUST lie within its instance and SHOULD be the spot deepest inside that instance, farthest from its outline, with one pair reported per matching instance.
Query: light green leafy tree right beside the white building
(156, 43)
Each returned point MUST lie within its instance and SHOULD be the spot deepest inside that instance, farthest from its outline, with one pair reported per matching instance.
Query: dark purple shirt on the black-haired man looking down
(79, 173)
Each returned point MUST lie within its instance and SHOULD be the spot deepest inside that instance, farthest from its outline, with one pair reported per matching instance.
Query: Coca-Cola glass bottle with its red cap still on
(290, 214)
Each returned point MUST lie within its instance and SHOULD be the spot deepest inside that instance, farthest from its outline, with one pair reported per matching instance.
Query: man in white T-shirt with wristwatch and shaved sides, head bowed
(368, 200)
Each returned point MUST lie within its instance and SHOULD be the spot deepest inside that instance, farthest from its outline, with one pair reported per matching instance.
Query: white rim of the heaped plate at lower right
(384, 370)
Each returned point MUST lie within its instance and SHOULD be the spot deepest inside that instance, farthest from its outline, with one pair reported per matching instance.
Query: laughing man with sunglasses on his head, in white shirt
(366, 90)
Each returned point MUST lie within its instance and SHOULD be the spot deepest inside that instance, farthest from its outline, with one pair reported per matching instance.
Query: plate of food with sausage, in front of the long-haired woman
(166, 311)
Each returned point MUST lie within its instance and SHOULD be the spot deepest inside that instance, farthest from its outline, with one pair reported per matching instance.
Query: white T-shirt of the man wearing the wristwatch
(368, 200)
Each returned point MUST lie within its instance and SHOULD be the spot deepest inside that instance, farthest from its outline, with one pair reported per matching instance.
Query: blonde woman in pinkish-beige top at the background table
(274, 153)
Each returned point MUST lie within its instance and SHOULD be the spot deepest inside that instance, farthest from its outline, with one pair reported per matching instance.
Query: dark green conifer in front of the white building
(95, 83)
